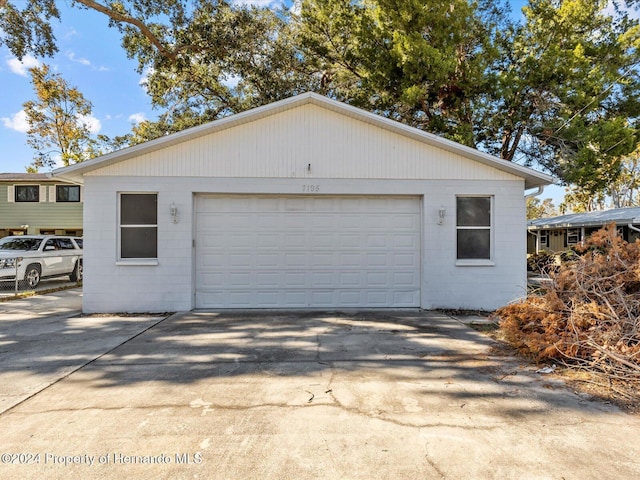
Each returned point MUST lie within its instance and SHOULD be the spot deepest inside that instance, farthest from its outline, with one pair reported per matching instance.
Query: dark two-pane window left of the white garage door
(138, 225)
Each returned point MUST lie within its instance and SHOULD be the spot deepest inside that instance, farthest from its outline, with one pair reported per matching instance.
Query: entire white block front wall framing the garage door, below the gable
(169, 286)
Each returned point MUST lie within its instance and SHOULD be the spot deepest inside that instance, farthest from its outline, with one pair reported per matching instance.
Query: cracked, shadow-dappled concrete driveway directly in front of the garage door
(413, 395)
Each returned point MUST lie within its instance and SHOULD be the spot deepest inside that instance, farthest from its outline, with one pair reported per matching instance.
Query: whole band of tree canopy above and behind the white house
(560, 89)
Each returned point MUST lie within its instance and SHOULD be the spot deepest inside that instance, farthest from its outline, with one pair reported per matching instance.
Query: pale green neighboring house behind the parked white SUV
(35, 203)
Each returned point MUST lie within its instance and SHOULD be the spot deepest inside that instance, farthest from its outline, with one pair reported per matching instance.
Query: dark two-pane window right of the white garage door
(473, 224)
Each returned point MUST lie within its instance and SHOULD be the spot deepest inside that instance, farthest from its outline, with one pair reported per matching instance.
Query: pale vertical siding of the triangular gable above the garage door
(306, 142)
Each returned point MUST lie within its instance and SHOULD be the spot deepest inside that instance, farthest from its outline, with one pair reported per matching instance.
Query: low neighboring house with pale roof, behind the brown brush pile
(556, 234)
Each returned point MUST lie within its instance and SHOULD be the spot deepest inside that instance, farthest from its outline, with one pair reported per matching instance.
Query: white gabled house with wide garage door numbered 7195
(304, 203)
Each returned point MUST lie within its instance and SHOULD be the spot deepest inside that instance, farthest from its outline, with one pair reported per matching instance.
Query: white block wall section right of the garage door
(448, 285)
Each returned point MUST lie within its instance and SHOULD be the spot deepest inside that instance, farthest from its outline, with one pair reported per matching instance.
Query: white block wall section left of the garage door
(110, 287)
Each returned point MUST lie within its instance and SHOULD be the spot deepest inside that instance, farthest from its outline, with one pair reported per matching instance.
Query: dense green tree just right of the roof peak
(422, 64)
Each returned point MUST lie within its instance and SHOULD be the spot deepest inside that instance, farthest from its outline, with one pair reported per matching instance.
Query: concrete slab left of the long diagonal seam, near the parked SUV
(44, 338)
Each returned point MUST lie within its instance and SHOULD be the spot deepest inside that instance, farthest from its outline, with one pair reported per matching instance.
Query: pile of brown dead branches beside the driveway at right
(589, 317)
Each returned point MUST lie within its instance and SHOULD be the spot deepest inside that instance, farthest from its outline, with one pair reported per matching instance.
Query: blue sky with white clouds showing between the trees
(91, 59)
